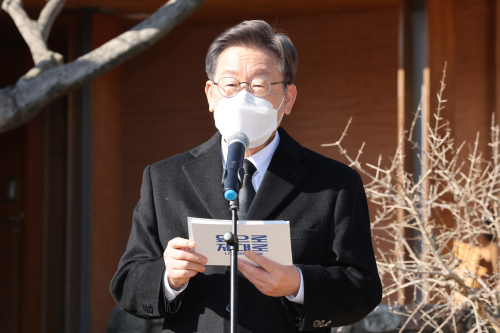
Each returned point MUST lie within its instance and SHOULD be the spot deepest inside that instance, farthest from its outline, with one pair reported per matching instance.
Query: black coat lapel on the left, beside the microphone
(205, 175)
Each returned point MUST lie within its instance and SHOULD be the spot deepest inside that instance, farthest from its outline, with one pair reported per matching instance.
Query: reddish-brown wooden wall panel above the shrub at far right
(474, 72)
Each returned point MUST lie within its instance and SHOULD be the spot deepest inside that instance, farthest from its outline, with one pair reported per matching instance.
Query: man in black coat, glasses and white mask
(334, 280)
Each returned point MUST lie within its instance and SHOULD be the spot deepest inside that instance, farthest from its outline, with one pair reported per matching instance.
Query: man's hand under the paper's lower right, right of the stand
(272, 279)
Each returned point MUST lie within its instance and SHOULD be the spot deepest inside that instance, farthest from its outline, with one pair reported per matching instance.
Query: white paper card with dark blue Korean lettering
(270, 239)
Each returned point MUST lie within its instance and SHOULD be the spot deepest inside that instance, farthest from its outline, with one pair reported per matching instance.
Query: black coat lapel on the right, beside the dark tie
(283, 175)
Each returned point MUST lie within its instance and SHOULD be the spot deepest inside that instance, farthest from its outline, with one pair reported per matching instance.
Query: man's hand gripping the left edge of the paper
(181, 263)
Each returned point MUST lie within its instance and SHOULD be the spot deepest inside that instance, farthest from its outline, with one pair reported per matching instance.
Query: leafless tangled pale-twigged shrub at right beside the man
(438, 274)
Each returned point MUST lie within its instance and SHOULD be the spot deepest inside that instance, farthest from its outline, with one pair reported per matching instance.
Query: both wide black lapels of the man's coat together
(283, 175)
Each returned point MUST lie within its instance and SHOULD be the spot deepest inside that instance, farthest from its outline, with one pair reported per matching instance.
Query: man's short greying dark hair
(255, 33)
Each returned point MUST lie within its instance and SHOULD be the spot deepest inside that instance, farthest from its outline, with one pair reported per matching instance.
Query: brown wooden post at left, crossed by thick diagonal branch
(106, 181)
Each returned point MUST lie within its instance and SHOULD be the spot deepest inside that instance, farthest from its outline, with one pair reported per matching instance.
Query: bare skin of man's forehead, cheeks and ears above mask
(245, 63)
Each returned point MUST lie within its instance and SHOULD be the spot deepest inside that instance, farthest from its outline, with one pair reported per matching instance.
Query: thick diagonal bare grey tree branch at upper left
(21, 102)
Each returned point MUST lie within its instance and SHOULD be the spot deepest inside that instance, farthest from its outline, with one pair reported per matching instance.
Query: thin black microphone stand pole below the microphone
(231, 239)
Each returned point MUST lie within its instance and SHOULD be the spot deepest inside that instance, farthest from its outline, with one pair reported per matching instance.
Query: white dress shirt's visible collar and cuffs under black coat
(261, 160)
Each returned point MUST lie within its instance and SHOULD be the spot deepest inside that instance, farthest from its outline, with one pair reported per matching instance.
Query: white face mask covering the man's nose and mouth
(247, 114)
